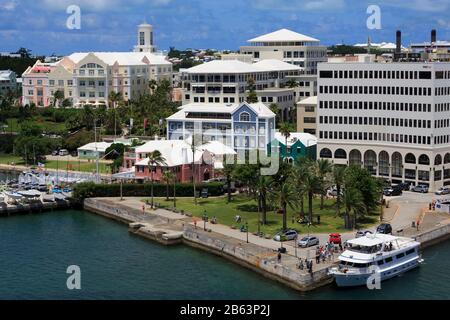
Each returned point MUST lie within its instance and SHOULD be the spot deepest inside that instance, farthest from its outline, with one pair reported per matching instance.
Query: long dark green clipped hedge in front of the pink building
(91, 190)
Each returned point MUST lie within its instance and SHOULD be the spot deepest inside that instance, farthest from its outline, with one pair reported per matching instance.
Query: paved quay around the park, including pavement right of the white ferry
(260, 254)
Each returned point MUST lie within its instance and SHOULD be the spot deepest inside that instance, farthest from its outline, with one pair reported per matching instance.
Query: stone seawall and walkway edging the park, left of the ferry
(257, 258)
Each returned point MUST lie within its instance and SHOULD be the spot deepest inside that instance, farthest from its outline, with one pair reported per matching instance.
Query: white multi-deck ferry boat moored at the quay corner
(375, 256)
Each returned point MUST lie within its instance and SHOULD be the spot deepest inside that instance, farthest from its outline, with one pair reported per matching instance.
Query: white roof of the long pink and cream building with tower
(123, 58)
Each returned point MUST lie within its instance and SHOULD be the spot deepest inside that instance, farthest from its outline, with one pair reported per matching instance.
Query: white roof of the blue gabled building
(259, 108)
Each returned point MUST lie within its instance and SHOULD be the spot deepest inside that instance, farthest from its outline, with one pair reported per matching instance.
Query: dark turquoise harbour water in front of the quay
(35, 251)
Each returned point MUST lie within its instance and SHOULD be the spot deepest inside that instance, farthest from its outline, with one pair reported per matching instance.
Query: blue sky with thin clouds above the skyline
(110, 25)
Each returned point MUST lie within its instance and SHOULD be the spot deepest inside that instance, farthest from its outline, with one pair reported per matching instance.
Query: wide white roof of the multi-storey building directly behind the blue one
(236, 66)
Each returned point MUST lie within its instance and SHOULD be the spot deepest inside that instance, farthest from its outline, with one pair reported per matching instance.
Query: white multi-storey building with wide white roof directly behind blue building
(227, 81)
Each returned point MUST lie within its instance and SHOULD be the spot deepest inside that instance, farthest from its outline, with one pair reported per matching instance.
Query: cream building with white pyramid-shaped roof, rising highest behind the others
(288, 46)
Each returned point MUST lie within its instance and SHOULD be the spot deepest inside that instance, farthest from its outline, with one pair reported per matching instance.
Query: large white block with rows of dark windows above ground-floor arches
(391, 118)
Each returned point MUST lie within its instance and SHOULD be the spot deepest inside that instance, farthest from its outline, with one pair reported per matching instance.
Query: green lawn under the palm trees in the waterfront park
(241, 205)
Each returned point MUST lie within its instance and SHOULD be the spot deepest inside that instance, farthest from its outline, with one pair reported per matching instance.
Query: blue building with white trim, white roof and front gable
(240, 126)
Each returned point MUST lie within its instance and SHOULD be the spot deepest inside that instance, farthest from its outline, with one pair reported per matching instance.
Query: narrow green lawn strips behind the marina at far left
(61, 165)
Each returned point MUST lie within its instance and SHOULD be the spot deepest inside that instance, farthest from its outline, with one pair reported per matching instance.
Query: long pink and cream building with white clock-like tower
(88, 78)
